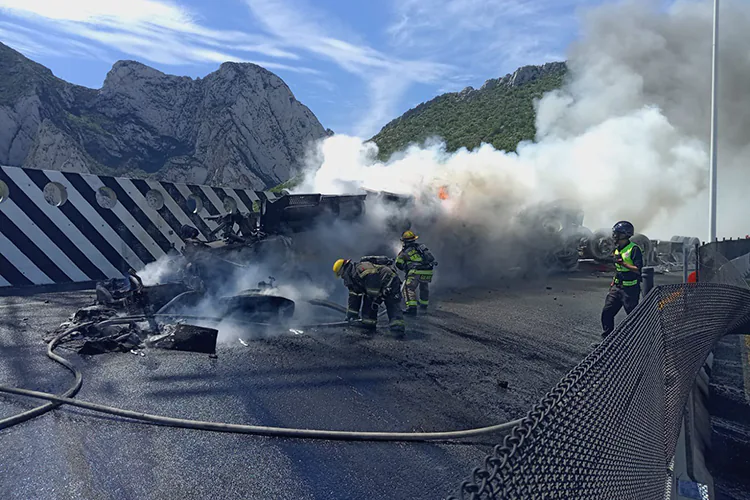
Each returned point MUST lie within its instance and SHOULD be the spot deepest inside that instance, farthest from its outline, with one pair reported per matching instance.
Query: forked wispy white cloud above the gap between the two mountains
(386, 77)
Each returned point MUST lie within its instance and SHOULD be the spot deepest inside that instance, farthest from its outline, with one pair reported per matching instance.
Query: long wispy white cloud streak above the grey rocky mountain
(158, 31)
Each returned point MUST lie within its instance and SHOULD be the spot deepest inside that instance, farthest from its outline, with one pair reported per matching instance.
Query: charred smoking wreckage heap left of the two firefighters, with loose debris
(129, 316)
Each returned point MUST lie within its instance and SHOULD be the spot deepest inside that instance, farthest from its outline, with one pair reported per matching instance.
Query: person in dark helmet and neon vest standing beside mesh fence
(625, 289)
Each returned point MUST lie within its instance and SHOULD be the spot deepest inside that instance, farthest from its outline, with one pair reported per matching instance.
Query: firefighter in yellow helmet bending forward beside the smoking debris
(372, 281)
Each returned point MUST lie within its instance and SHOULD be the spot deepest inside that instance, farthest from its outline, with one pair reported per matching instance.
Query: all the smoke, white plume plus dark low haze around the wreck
(626, 137)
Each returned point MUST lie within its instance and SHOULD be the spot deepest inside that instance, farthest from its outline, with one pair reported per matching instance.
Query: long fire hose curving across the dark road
(67, 397)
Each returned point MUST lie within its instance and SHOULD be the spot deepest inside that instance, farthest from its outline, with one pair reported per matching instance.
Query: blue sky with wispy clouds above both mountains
(357, 64)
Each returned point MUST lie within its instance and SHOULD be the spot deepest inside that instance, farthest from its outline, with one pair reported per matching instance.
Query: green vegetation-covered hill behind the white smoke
(500, 113)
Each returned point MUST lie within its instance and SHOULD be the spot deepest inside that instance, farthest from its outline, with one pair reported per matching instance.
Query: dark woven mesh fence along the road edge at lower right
(609, 429)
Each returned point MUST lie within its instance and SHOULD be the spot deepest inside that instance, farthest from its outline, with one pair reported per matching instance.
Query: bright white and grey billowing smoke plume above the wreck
(626, 137)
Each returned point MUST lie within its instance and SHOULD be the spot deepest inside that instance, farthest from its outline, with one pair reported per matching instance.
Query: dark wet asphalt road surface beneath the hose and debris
(480, 357)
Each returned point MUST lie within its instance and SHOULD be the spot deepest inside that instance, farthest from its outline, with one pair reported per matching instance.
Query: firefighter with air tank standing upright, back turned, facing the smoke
(418, 264)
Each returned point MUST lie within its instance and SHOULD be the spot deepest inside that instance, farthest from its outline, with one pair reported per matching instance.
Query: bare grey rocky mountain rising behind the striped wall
(240, 125)
